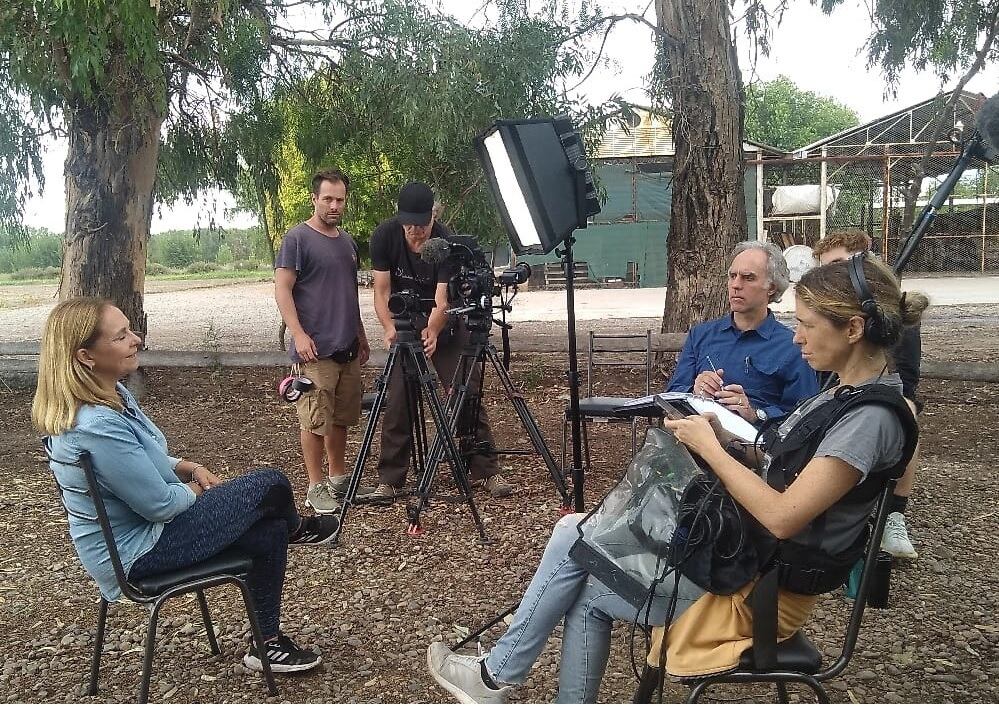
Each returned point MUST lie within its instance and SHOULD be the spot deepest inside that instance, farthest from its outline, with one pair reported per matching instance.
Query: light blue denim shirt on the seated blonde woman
(135, 478)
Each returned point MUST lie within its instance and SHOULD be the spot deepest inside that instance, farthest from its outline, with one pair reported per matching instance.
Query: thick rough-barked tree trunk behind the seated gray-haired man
(709, 204)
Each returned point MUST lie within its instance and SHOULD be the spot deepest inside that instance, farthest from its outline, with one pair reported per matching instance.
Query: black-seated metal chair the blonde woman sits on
(230, 566)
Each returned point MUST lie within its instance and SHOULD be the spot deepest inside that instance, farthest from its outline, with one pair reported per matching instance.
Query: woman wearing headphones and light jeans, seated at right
(846, 323)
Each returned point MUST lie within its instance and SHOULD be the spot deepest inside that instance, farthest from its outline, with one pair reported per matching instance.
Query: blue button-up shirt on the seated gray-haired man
(765, 361)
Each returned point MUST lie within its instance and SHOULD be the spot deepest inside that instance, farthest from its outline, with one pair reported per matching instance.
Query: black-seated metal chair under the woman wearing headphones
(797, 659)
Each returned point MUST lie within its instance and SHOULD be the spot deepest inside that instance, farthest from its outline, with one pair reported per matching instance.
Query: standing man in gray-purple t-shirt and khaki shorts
(315, 285)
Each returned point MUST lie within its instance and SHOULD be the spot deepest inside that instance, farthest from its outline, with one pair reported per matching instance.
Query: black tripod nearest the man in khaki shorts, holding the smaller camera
(408, 352)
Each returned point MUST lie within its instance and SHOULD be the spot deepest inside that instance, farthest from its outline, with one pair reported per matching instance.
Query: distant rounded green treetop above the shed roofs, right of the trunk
(780, 114)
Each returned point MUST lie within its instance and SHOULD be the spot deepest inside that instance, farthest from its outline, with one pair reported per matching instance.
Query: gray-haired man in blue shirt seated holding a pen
(747, 360)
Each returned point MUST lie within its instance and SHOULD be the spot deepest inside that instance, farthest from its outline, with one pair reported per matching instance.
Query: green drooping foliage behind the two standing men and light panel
(408, 108)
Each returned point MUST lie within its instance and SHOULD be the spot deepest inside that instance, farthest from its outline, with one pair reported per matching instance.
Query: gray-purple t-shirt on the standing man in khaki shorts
(325, 291)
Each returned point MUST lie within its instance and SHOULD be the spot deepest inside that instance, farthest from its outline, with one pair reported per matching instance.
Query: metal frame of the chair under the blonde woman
(156, 601)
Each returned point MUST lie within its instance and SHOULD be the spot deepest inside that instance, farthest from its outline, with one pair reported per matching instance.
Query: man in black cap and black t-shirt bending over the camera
(396, 264)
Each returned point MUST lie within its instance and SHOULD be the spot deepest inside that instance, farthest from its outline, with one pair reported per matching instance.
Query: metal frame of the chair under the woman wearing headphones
(652, 676)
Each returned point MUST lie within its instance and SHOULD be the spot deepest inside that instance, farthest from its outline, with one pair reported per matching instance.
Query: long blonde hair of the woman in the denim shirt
(64, 383)
